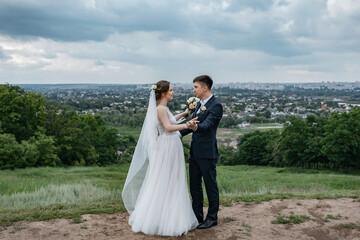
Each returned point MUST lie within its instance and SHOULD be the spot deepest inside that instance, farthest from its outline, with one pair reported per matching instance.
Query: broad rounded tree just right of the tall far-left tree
(83, 139)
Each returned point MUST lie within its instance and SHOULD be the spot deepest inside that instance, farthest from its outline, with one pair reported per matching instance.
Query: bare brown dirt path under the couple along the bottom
(240, 221)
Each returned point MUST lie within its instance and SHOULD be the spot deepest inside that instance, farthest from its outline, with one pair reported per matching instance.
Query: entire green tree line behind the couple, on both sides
(35, 132)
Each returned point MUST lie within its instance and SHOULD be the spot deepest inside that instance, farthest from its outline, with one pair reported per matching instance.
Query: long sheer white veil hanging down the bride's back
(140, 161)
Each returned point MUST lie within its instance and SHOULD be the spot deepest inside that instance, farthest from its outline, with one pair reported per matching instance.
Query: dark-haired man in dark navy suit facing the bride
(204, 152)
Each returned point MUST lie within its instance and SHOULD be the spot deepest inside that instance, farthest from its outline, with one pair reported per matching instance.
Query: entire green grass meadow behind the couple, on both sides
(46, 193)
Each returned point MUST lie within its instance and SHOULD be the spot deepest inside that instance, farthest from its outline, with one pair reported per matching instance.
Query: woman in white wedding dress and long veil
(155, 191)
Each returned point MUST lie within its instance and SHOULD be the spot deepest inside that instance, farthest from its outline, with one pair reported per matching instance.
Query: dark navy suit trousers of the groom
(204, 168)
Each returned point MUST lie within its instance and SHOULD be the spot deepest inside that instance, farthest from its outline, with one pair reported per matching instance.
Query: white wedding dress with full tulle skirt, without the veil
(163, 205)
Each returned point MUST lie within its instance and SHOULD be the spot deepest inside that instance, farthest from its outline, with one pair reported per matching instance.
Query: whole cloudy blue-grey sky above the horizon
(143, 41)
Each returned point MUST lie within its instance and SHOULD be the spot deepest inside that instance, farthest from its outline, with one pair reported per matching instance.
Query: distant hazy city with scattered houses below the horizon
(270, 100)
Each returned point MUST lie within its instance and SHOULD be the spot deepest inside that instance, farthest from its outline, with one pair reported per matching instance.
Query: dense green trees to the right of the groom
(330, 143)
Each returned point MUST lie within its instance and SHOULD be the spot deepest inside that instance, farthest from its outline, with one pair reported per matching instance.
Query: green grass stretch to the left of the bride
(47, 193)
